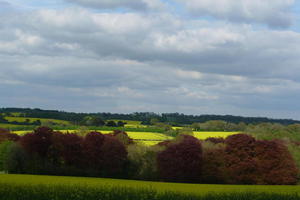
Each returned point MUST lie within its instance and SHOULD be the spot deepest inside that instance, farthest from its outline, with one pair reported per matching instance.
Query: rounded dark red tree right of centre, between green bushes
(181, 161)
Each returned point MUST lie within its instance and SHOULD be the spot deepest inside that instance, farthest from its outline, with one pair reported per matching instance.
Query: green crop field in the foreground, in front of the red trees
(23, 186)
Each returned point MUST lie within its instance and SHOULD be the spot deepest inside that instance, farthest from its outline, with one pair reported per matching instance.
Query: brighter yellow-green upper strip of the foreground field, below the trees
(200, 189)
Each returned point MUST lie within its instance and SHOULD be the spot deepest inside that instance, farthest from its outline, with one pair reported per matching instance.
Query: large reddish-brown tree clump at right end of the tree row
(258, 162)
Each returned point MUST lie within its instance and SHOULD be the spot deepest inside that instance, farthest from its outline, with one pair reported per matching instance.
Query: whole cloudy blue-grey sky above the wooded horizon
(239, 57)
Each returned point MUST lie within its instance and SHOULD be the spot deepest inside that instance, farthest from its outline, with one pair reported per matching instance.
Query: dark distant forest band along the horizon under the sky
(145, 117)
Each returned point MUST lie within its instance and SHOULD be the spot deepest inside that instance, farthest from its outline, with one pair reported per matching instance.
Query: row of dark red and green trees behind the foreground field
(238, 159)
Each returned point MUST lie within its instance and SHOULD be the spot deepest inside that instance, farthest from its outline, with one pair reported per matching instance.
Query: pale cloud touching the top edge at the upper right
(274, 13)
